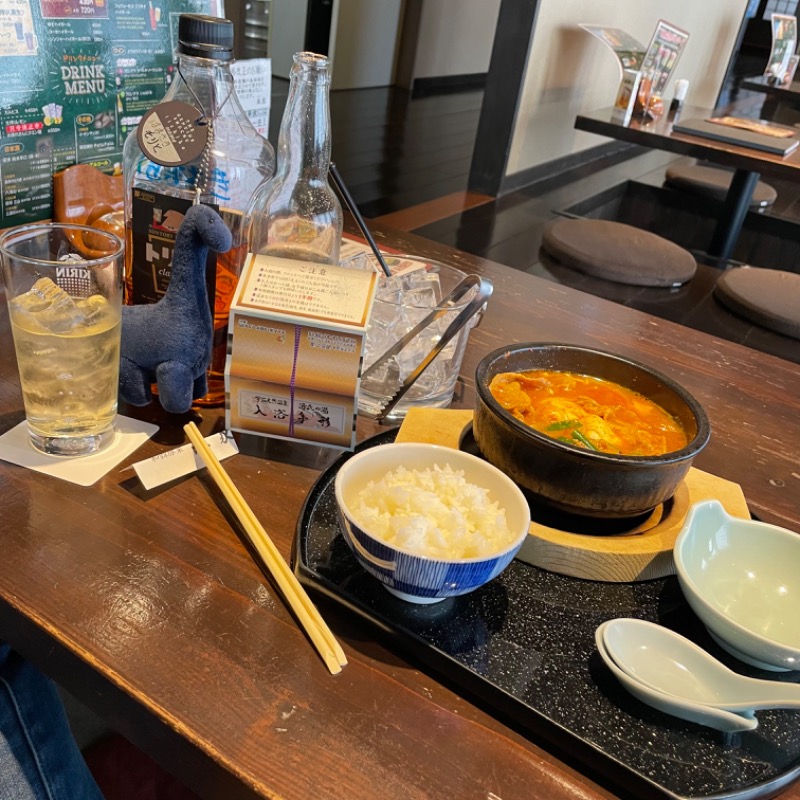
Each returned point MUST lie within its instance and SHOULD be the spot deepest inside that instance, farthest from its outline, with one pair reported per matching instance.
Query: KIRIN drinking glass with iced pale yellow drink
(63, 287)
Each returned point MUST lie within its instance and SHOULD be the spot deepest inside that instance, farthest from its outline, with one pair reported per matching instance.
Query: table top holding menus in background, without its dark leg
(658, 134)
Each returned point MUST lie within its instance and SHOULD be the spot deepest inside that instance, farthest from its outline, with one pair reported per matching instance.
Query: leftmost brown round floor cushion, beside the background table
(618, 252)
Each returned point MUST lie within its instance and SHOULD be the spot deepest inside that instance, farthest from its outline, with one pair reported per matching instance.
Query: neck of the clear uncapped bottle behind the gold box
(304, 141)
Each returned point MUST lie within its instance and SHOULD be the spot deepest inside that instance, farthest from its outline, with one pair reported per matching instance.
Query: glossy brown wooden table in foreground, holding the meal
(148, 608)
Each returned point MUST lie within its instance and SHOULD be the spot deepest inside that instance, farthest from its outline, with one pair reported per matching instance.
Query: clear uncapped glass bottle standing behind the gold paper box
(297, 214)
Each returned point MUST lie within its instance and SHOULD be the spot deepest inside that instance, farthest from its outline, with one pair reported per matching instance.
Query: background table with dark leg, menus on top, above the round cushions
(748, 163)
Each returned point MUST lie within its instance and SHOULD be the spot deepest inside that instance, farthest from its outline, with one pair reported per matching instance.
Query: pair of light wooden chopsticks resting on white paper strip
(305, 611)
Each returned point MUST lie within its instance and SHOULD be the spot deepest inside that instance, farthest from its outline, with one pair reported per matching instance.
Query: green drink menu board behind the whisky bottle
(77, 77)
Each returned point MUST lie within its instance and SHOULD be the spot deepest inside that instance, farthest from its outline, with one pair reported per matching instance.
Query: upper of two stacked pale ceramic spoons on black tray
(668, 662)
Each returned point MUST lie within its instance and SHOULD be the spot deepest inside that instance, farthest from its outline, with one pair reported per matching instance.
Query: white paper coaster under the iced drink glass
(16, 447)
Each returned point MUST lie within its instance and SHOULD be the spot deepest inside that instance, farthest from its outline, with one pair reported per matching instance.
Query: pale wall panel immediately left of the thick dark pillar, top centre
(455, 37)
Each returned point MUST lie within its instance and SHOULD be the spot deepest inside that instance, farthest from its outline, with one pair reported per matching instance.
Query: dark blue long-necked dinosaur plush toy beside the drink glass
(169, 342)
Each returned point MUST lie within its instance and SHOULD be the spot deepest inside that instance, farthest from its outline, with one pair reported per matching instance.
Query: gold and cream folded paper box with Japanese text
(296, 339)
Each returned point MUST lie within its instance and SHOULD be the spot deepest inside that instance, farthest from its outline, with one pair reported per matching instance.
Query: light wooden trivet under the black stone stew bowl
(643, 553)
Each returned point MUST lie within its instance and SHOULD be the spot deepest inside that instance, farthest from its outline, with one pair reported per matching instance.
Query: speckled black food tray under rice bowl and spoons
(523, 648)
